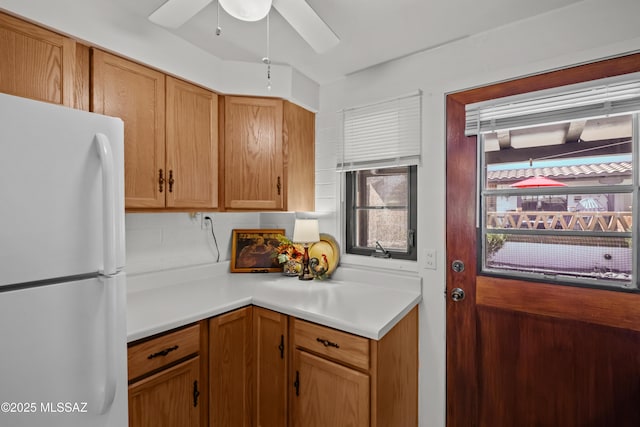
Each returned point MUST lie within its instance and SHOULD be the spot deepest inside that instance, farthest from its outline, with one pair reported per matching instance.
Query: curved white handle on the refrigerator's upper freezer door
(108, 205)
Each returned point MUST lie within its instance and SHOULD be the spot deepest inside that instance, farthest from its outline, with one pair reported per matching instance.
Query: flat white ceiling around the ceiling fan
(370, 31)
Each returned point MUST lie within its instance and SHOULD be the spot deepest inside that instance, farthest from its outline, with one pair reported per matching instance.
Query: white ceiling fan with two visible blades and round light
(174, 13)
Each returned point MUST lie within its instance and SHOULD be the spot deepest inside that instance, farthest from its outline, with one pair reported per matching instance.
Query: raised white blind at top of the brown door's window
(598, 98)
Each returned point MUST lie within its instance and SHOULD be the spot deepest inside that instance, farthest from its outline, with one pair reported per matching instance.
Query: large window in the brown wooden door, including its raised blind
(559, 186)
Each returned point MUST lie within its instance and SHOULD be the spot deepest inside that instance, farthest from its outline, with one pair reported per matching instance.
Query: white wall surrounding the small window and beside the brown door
(582, 32)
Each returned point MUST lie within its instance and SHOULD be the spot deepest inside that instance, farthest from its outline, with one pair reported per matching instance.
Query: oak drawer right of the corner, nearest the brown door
(340, 346)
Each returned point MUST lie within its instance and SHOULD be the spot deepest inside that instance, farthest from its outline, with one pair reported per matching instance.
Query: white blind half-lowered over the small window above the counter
(383, 134)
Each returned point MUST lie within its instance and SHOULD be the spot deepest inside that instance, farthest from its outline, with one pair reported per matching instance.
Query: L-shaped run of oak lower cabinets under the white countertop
(254, 367)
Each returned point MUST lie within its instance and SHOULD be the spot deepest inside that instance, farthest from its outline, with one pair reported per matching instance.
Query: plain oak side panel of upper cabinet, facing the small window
(298, 133)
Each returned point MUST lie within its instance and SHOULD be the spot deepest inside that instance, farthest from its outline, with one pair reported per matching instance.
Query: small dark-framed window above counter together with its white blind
(378, 157)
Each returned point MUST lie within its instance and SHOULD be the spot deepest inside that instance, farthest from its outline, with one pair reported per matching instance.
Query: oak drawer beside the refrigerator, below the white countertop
(163, 350)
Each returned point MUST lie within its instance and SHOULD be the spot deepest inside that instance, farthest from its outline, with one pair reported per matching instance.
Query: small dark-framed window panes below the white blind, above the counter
(381, 211)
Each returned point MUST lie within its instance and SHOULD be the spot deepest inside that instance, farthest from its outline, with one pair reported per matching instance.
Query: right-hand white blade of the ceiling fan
(307, 23)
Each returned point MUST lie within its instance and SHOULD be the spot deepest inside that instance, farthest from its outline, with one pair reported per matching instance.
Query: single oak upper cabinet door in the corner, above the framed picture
(253, 153)
